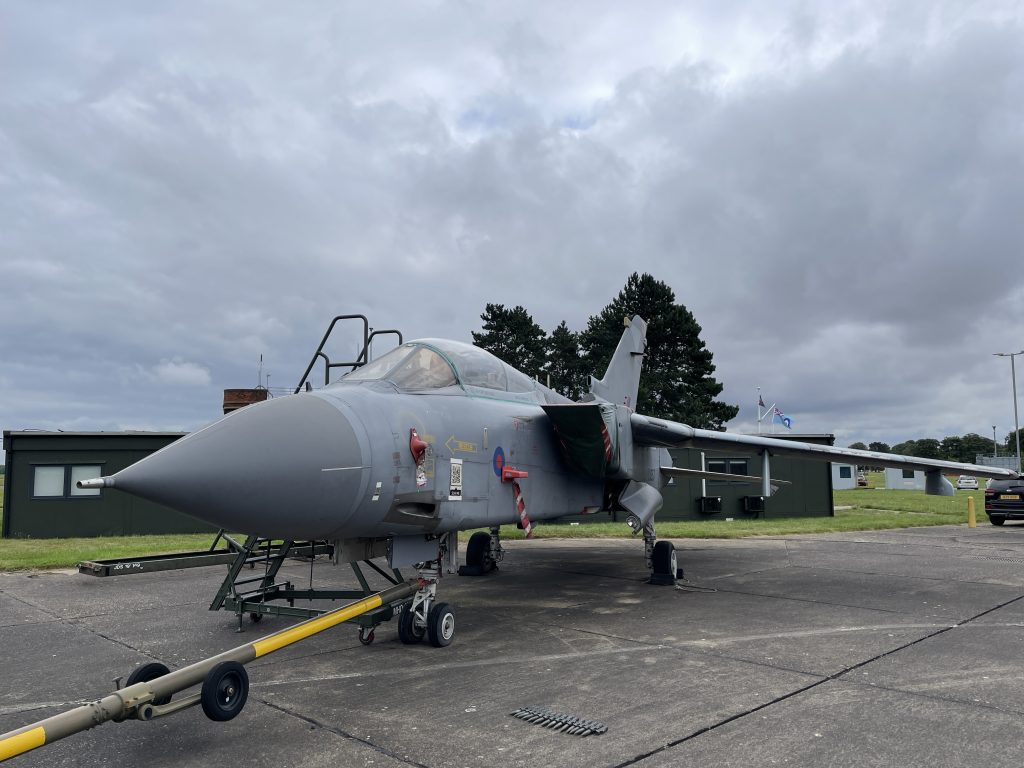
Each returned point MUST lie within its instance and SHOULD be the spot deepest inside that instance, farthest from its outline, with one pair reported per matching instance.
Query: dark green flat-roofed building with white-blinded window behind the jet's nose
(41, 500)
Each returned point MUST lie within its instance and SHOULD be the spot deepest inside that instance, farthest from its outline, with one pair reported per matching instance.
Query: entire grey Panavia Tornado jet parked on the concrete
(439, 437)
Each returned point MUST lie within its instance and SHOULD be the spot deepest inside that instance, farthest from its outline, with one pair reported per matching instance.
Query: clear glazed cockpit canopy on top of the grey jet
(436, 364)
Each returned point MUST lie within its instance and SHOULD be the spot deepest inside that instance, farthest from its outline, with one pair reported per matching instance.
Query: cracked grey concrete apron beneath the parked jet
(869, 649)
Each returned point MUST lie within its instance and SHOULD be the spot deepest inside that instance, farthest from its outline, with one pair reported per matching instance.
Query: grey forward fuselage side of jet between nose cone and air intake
(459, 482)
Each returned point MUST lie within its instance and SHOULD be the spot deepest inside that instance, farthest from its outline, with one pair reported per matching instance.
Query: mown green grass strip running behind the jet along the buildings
(860, 509)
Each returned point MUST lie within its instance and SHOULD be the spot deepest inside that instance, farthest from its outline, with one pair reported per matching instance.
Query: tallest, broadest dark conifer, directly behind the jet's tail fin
(677, 381)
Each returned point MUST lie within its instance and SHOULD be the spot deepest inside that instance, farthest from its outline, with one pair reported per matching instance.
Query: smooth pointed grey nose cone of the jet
(291, 468)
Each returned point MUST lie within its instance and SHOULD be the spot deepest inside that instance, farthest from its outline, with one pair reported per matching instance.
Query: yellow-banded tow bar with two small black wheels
(223, 674)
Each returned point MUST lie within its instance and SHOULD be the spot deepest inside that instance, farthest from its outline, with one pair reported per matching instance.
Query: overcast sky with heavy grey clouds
(835, 190)
